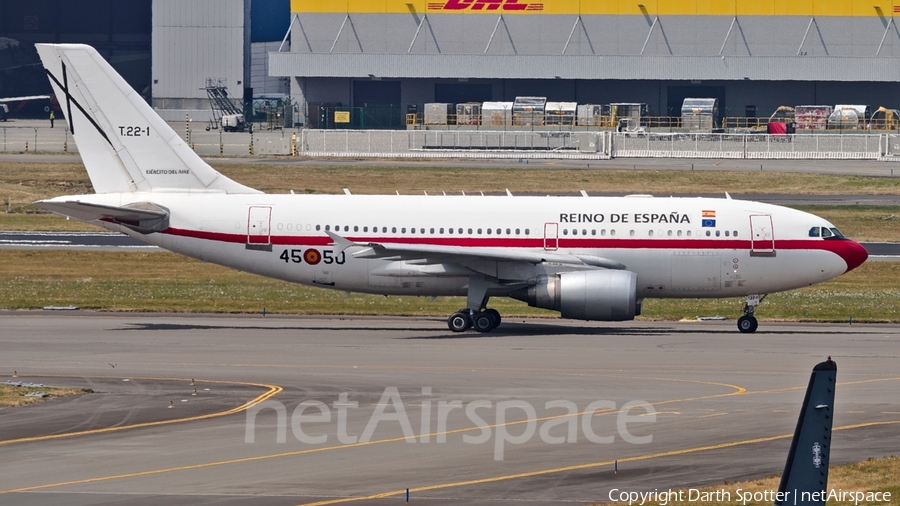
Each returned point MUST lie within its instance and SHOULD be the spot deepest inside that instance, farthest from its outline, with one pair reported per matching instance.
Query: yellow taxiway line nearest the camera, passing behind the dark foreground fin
(578, 467)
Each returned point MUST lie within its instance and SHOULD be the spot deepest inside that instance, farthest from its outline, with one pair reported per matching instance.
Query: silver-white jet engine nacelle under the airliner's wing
(602, 295)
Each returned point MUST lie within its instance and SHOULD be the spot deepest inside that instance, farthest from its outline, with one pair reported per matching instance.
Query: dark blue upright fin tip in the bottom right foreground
(806, 470)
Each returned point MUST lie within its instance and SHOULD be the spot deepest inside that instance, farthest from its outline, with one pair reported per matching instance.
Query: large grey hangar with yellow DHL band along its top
(762, 53)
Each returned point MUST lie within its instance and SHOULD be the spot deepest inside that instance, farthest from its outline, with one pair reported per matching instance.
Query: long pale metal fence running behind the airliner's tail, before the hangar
(592, 145)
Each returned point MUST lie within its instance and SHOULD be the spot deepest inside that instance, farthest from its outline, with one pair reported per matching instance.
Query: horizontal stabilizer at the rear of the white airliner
(143, 217)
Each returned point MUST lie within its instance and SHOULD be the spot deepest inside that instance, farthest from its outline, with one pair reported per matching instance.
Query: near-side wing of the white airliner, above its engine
(433, 254)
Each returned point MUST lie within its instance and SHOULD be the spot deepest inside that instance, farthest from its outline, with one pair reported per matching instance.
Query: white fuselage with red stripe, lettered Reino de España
(678, 247)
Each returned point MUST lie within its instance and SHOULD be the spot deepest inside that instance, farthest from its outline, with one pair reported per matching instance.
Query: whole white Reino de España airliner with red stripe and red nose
(591, 258)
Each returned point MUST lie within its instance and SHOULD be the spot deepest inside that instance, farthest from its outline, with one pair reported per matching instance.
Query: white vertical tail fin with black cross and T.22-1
(125, 145)
